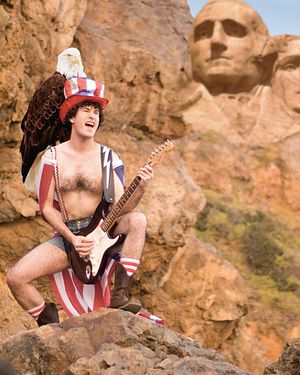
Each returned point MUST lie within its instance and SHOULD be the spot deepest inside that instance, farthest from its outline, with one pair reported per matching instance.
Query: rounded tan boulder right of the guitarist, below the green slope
(210, 301)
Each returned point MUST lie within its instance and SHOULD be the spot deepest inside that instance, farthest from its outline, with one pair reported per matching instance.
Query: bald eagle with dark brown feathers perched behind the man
(41, 125)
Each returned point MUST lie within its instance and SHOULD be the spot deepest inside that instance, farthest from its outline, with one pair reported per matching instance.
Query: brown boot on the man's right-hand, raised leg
(120, 294)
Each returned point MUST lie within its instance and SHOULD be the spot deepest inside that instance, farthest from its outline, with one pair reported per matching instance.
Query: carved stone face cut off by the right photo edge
(286, 80)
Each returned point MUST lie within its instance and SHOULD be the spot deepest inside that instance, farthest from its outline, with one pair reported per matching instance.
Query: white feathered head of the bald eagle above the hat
(69, 63)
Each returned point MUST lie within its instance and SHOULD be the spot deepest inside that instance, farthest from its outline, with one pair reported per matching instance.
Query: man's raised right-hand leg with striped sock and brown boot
(133, 225)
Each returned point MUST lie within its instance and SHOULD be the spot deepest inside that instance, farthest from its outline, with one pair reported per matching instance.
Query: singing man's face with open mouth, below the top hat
(86, 121)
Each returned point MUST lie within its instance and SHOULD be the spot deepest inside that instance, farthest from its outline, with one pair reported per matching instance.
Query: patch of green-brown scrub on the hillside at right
(263, 247)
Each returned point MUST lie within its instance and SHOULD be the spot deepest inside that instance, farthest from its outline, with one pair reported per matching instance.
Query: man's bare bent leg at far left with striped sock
(45, 259)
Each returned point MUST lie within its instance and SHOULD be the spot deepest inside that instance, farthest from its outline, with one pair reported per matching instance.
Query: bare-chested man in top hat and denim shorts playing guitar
(80, 177)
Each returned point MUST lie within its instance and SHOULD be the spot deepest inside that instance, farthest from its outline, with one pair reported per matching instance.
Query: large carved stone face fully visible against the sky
(222, 48)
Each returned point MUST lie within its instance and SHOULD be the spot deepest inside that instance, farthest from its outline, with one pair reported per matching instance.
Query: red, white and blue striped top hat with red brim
(79, 90)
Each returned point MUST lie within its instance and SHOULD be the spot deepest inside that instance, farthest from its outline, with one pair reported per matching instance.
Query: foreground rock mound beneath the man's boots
(106, 342)
